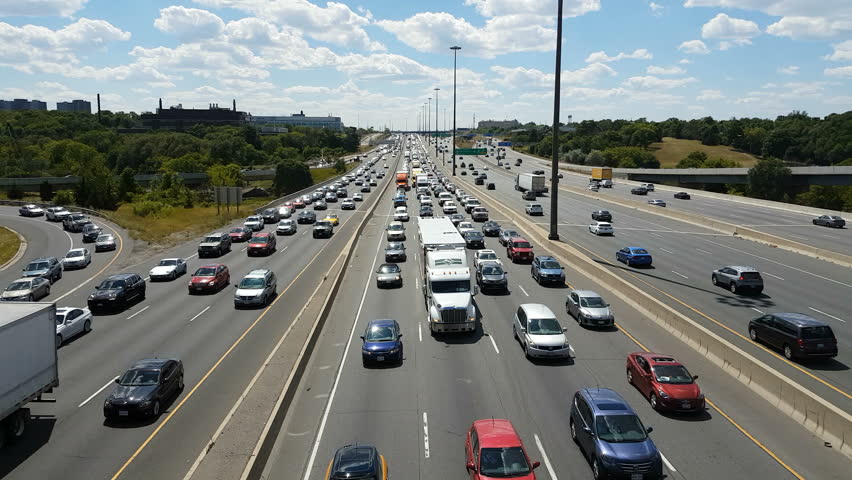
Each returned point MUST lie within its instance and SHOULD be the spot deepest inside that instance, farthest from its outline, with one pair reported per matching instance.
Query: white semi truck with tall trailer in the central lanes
(447, 280)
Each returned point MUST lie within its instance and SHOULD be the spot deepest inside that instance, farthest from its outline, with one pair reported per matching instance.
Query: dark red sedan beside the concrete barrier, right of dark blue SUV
(665, 382)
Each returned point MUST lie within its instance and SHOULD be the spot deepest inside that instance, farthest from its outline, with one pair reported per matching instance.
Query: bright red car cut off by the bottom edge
(493, 449)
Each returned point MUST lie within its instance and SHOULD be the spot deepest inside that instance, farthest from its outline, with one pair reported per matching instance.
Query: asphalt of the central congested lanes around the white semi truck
(417, 413)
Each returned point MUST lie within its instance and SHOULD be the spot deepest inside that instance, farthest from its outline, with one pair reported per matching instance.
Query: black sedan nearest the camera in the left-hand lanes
(144, 388)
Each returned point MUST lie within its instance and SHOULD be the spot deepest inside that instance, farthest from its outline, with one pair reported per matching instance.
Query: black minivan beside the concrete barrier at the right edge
(796, 334)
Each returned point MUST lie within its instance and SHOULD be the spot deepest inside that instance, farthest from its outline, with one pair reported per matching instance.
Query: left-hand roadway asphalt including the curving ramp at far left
(218, 345)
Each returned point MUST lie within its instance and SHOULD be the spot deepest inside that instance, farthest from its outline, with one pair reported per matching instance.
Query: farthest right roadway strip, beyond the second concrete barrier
(783, 222)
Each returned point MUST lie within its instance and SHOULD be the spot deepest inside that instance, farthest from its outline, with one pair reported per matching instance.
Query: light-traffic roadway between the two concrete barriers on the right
(684, 258)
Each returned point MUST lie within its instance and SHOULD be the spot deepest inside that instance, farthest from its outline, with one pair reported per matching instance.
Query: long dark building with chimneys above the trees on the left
(178, 118)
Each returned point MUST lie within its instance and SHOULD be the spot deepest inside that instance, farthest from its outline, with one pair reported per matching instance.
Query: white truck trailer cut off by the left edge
(29, 362)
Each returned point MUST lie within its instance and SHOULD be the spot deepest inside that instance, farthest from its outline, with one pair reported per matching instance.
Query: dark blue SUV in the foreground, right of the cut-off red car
(612, 437)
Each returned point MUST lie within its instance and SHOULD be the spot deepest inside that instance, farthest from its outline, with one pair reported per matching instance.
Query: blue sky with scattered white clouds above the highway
(375, 62)
